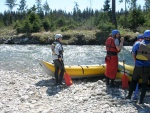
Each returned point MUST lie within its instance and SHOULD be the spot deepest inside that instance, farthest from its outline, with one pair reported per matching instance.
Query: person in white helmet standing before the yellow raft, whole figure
(57, 55)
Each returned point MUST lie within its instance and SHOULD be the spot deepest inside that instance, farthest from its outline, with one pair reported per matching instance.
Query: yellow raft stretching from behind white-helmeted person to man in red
(76, 71)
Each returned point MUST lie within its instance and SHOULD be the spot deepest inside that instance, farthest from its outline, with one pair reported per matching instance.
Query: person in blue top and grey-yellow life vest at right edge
(141, 55)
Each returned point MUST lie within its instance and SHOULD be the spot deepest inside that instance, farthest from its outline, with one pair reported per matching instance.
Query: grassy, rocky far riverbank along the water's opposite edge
(70, 37)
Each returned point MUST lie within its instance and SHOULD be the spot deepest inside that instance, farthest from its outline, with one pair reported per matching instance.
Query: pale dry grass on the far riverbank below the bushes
(77, 36)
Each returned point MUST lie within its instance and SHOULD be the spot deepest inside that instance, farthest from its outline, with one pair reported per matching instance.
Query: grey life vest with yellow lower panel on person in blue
(143, 52)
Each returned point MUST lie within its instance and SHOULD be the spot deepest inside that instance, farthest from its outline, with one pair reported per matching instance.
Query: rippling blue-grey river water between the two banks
(25, 58)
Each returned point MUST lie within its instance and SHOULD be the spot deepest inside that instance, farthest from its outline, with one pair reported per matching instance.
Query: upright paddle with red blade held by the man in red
(124, 76)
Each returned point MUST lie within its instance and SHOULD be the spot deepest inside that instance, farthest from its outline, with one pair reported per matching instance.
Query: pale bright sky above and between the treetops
(67, 5)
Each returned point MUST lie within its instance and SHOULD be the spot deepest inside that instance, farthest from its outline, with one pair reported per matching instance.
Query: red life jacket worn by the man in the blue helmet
(111, 47)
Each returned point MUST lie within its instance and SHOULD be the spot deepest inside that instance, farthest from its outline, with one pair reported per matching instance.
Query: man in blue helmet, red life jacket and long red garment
(113, 47)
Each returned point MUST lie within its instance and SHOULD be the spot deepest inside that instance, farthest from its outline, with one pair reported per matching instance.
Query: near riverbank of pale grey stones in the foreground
(23, 93)
